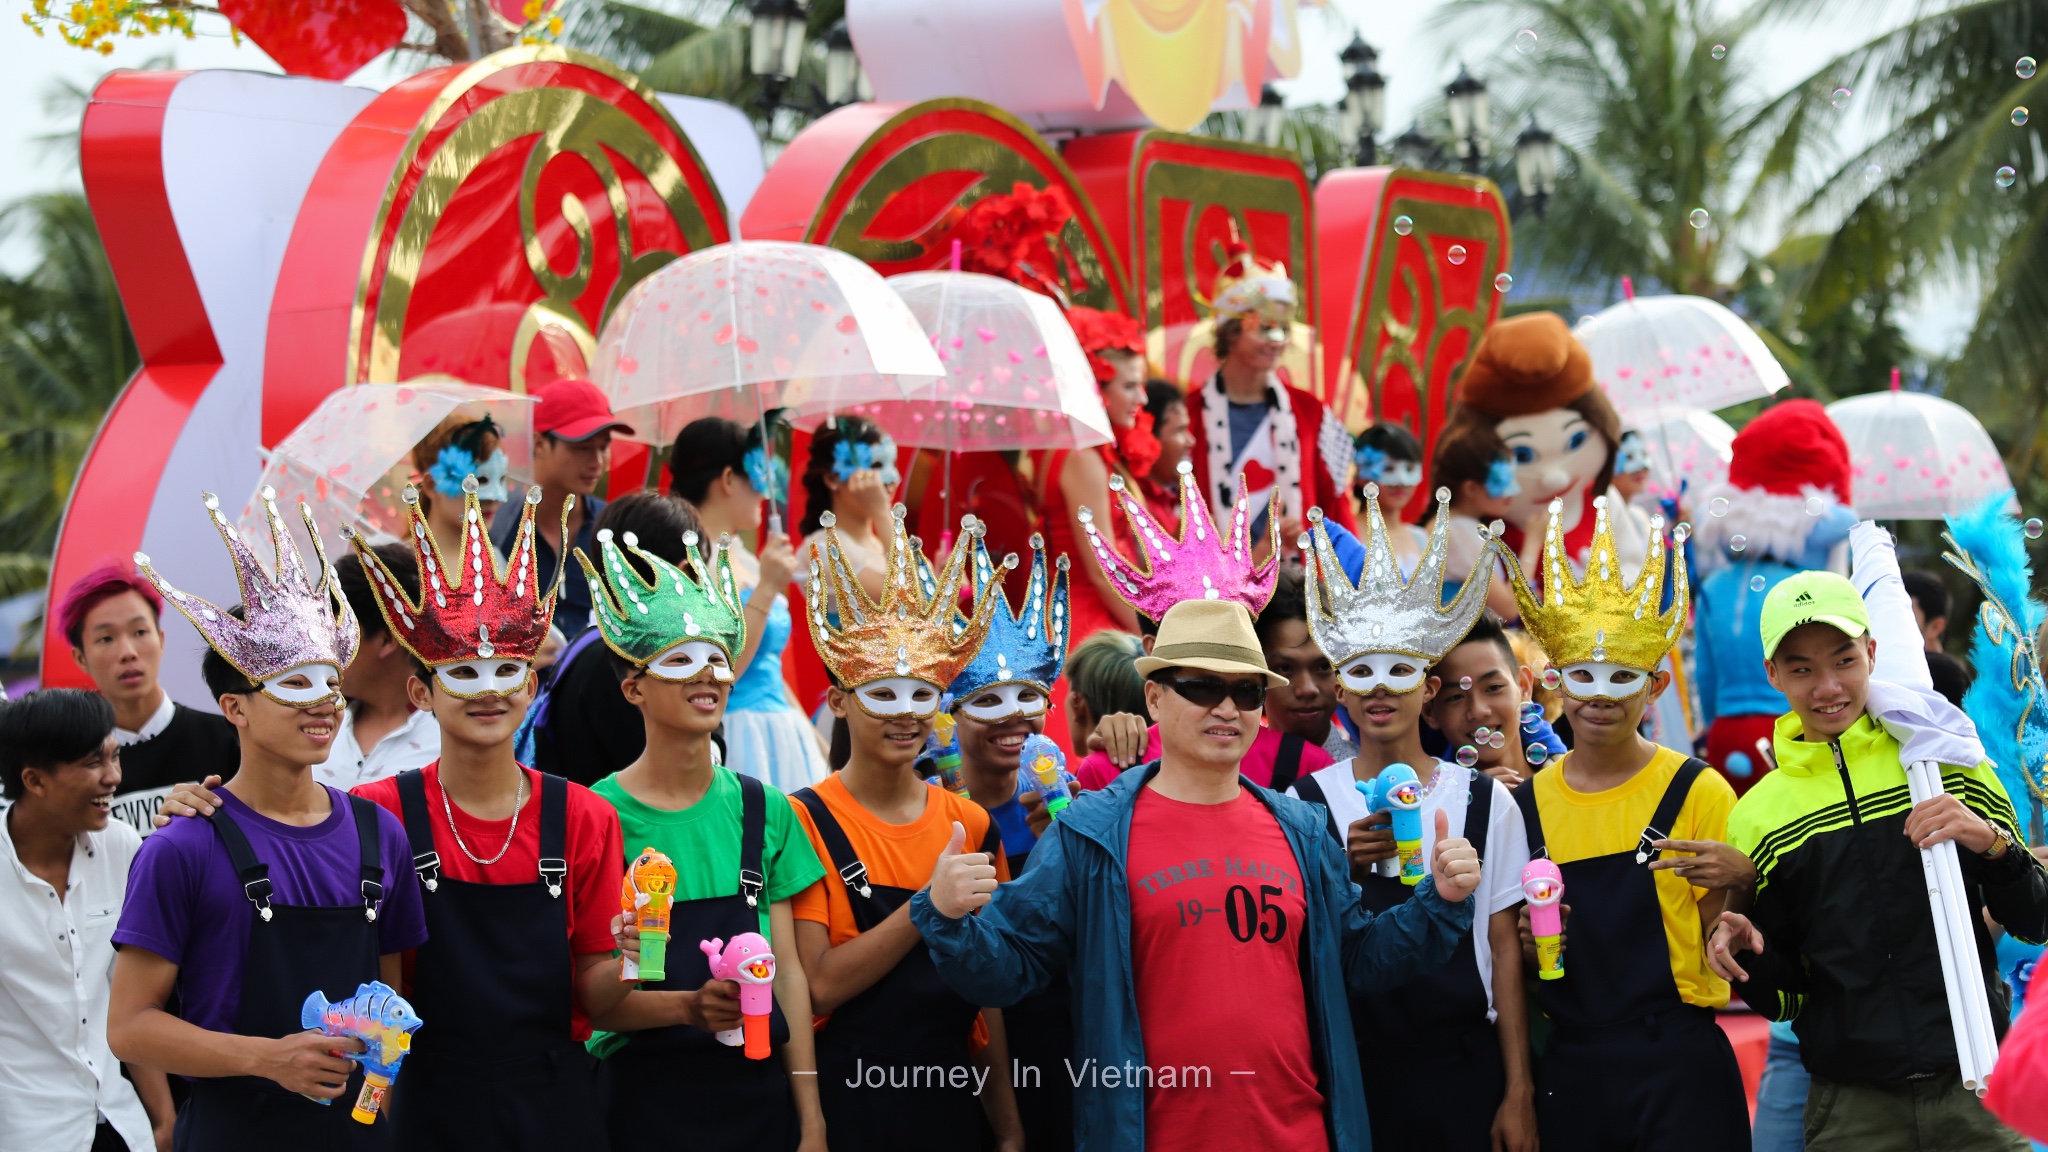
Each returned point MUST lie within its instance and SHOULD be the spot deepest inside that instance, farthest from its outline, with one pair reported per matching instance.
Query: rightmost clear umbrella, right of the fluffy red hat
(1916, 456)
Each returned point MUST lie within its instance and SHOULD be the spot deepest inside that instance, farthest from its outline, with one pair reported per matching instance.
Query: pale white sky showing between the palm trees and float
(1416, 58)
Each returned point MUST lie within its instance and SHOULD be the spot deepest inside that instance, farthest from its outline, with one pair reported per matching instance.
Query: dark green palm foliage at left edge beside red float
(65, 356)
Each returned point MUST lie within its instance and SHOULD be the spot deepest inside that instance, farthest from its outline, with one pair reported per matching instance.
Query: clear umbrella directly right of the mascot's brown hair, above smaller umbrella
(1678, 352)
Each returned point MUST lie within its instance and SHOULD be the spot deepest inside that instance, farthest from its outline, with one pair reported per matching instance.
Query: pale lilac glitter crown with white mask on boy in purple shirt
(294, 620)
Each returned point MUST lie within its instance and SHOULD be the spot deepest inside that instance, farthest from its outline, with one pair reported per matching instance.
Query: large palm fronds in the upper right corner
(1949, 190)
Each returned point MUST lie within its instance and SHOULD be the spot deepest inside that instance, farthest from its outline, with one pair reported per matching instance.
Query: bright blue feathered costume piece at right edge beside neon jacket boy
(2008, 702)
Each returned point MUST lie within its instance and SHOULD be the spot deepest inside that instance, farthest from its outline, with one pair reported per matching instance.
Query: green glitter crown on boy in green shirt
(642, 620)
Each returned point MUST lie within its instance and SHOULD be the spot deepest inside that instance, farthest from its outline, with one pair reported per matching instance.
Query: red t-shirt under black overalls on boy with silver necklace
(595, 852)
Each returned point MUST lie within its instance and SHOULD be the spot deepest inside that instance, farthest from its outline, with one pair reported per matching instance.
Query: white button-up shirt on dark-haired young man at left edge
(56, 1075)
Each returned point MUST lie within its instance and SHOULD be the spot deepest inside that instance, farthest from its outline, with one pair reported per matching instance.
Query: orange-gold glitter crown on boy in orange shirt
(916, 630)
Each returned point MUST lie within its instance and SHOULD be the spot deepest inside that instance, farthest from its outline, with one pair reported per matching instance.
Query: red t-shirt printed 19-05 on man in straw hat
(1218, 911)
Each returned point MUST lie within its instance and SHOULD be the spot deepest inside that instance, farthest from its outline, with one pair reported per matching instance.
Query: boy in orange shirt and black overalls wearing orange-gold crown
(896, 1048)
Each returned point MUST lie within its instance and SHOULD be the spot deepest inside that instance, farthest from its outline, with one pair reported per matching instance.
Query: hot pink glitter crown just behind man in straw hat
(1199, 565)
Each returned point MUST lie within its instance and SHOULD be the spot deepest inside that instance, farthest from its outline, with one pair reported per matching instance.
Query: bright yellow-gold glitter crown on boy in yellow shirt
(1603, 618)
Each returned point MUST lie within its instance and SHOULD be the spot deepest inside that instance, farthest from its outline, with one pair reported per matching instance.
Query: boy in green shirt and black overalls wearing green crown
(738, 856)
